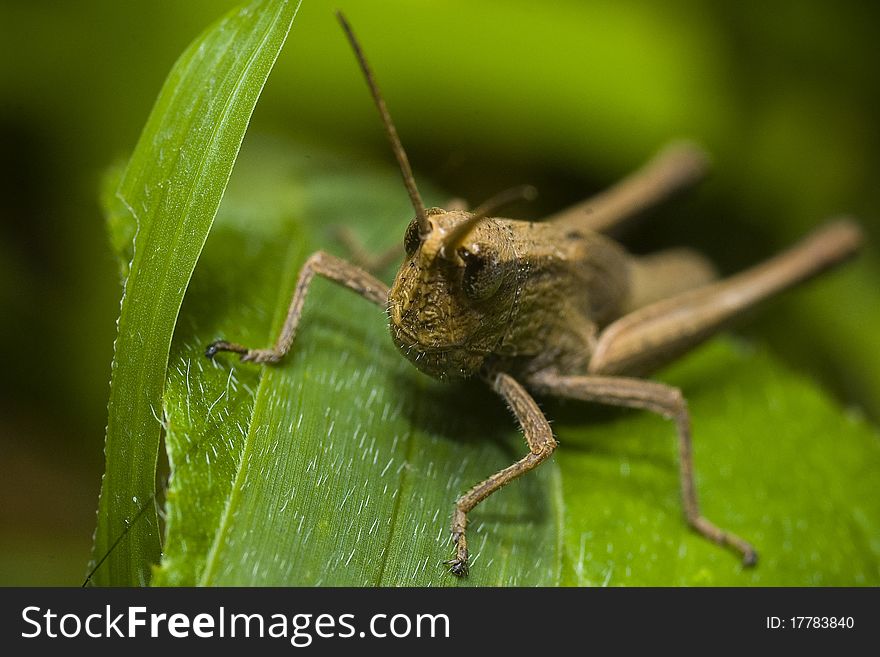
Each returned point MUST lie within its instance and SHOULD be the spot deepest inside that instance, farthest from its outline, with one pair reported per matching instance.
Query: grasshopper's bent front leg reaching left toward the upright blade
(325, 265)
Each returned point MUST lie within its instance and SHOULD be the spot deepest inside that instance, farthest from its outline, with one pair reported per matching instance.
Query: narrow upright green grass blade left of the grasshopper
(167, 197)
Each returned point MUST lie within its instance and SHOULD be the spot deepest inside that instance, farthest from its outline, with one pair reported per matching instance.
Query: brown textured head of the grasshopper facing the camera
(452, 299)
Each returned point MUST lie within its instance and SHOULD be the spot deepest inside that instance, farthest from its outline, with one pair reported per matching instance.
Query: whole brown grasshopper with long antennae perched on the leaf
(557, 308)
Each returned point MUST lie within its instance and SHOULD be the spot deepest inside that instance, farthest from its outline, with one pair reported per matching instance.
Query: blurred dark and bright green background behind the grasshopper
(568, 96)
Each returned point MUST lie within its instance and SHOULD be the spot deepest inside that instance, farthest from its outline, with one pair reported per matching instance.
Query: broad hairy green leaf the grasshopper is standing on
(340, 466)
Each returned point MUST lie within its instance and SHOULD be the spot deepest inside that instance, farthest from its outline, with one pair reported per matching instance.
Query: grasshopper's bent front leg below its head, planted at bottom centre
(541, 443)
